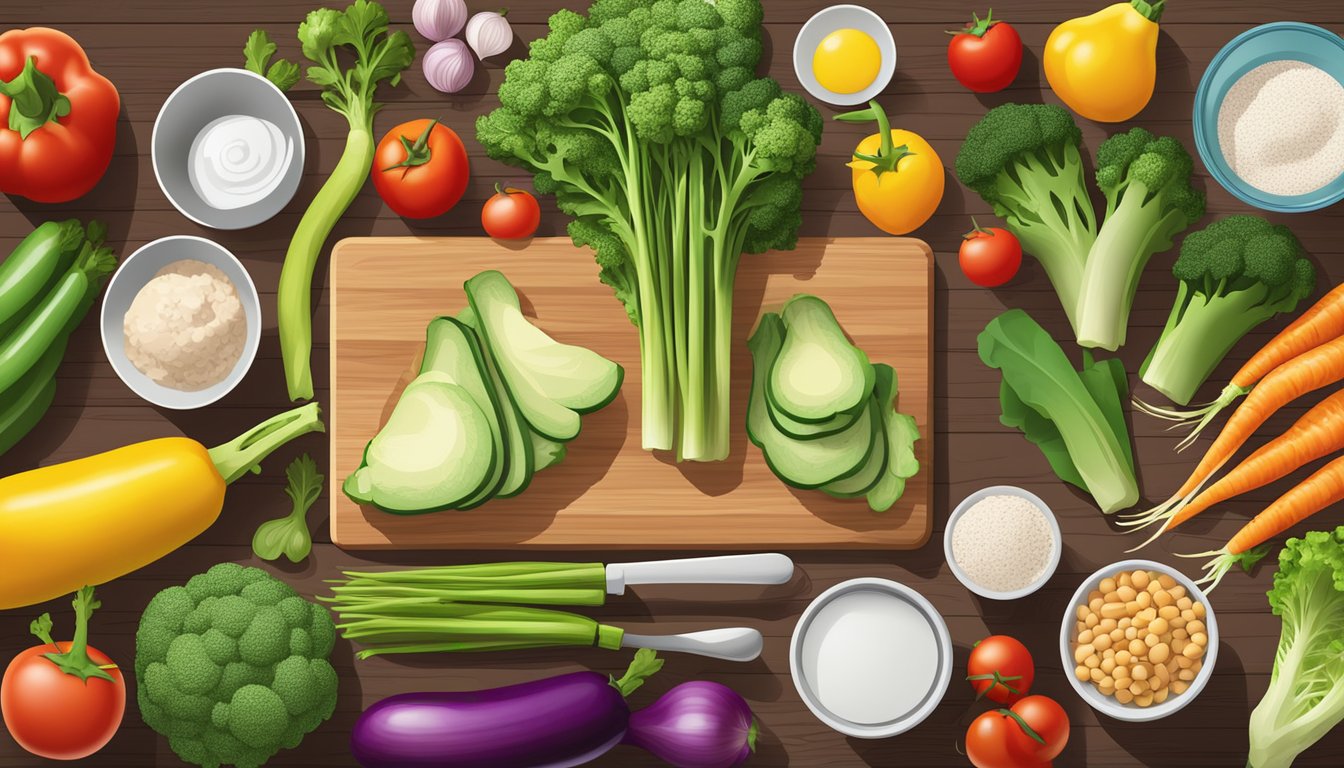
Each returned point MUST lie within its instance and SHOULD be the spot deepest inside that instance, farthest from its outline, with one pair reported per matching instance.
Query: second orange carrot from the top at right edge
(1303, 375)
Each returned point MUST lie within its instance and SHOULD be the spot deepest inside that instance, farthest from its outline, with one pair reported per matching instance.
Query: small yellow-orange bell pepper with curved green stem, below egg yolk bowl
(898, 180)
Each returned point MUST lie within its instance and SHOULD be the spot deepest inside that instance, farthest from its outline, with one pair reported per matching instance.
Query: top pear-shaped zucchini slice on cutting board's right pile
(818, 375)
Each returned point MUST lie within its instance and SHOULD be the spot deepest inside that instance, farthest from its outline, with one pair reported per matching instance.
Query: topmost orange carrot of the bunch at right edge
(1312, 329)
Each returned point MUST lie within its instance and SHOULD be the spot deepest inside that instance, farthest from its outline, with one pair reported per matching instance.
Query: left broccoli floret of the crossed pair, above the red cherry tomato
(1025, 161)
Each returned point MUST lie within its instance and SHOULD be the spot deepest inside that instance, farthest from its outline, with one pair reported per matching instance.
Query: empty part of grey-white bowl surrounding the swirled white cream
(196, 104)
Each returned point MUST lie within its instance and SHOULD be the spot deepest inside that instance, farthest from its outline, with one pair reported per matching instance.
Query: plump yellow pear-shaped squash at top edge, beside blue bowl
(1104, 67)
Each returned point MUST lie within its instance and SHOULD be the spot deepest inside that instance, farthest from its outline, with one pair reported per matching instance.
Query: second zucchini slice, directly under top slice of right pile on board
(802, 463)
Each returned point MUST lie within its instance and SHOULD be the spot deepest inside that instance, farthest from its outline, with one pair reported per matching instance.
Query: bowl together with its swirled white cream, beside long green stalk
(228, 150)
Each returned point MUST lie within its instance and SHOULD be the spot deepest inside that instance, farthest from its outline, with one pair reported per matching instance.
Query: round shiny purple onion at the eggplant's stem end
(697, 726)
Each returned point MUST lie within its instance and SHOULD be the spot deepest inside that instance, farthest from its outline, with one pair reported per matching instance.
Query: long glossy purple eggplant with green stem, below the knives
(554, 723)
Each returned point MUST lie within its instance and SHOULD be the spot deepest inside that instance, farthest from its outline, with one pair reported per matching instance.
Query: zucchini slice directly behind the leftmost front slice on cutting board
(454, 353)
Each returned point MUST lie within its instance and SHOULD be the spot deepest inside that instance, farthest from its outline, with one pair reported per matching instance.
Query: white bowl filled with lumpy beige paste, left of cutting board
(182, 322)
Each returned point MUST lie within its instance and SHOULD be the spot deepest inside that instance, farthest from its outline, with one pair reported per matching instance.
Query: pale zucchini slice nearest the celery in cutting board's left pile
(573, 377)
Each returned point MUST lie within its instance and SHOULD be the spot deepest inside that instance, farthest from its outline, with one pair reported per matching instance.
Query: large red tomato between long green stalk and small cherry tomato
(421, 169)
